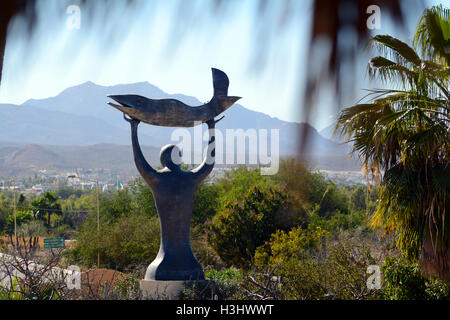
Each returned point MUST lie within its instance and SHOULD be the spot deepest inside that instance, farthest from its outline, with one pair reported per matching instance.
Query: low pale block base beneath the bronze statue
(177, 289)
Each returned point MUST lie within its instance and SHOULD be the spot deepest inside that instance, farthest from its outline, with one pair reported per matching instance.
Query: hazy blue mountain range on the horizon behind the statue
(77, 129)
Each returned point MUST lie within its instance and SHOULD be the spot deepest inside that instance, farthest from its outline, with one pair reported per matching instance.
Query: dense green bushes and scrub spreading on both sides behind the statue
(309, 234)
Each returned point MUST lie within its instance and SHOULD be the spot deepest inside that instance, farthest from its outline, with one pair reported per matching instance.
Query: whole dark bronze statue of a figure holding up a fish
(173, 188)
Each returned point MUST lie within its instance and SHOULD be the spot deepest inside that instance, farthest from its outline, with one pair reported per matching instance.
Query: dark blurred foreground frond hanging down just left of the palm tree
(330, 19)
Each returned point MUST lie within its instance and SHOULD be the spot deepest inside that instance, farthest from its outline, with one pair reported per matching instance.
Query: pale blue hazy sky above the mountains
(120, 44)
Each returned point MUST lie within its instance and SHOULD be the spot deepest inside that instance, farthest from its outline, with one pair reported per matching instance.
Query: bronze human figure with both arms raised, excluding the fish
(174, 190)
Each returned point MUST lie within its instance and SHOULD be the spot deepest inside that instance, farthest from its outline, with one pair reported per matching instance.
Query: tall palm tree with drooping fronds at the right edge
(402, 135)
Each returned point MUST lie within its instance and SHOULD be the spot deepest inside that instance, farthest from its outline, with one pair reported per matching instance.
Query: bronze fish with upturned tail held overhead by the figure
(174, 113)
